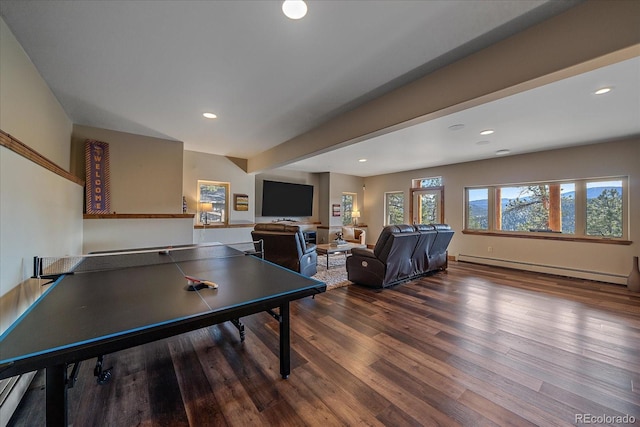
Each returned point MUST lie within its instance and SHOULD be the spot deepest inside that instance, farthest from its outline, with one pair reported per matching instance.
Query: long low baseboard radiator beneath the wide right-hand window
(547, 269)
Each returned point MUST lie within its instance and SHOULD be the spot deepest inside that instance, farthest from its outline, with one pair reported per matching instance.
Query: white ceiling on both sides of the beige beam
(153, 67)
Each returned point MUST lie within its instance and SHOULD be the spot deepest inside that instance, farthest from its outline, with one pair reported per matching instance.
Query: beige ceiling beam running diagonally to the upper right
(585, 37)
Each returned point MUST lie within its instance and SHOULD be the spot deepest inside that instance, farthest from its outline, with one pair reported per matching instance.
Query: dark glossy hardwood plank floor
(471, 346)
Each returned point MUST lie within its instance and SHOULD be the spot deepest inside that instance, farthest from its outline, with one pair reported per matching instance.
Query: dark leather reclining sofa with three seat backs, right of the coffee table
(402, 252)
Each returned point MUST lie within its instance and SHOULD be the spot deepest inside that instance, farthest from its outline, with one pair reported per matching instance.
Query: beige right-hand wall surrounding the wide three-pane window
(589, 260)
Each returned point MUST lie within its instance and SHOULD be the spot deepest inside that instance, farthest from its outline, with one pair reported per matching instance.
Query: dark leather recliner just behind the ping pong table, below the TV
(285, 245)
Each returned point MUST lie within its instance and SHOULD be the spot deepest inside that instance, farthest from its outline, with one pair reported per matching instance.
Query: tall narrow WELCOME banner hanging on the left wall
(96, 154)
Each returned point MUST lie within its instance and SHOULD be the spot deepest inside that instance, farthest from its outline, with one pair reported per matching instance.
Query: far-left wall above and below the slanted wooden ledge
(40, 212)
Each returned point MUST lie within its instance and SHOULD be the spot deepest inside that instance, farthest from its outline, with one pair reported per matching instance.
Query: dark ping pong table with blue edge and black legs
(110, 302)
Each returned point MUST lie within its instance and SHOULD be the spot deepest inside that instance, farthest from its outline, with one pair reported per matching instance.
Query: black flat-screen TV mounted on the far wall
(286, 199)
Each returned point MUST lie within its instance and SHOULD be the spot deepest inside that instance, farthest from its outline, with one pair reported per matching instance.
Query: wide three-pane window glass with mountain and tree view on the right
(574, 208)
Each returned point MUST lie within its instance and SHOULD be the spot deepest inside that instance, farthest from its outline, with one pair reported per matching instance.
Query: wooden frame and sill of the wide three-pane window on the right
(580, 200)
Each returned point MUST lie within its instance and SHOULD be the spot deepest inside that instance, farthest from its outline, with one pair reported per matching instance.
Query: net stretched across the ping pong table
(53, 267)
